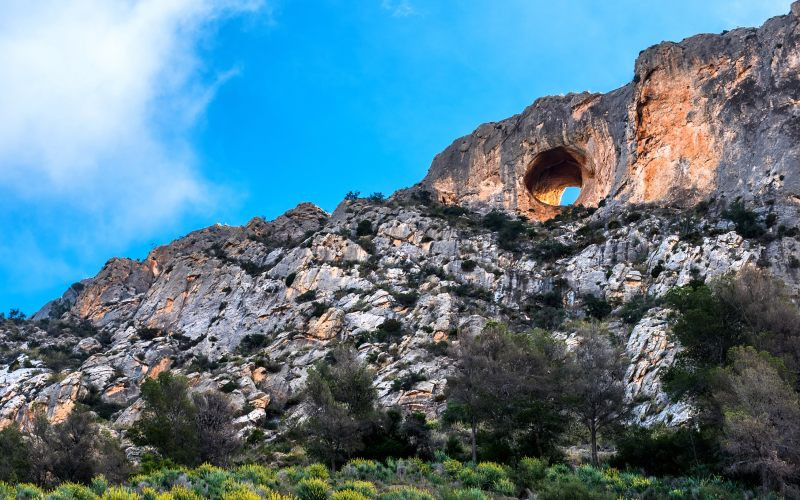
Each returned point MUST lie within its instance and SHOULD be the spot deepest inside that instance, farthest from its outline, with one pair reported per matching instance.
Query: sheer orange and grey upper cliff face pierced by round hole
(713, 115)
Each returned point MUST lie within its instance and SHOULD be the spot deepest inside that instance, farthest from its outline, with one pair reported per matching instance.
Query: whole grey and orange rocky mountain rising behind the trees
(690, 171)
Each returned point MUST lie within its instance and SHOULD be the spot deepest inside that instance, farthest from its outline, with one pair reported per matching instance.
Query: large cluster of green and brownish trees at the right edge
(739, 365)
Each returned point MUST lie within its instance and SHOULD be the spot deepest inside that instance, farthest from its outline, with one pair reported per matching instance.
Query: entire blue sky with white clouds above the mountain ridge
(129, 123)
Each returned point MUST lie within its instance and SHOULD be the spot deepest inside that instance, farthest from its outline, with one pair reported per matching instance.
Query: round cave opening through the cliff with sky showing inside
(555, 176)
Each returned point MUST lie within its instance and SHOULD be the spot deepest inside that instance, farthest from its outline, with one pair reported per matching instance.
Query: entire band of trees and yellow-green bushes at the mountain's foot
(516, 402)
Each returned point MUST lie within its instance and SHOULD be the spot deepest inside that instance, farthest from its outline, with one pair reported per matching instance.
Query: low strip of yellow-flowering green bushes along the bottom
(401, 479)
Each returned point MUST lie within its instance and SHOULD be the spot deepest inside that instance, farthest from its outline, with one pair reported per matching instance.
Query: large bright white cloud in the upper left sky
(96, 100)
